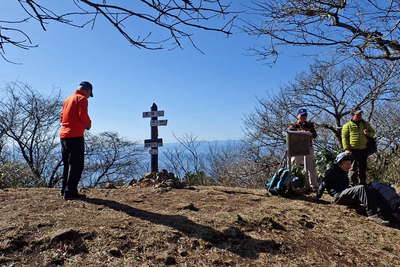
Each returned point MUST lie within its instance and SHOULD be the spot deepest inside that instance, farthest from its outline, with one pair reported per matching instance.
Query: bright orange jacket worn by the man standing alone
(74, 116)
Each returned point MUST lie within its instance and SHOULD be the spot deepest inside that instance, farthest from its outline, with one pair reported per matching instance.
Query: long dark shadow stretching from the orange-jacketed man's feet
(231, 239)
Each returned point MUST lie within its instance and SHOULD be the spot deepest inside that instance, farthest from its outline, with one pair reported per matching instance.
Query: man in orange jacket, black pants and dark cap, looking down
(75, 120)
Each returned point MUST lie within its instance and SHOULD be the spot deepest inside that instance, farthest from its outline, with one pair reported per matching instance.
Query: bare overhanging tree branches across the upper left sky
(163, 21)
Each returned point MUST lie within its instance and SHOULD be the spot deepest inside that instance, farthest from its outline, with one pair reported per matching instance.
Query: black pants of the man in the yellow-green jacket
(358, 171)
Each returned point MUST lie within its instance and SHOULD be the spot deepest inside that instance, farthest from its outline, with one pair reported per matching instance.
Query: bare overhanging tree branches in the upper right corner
(362, 28)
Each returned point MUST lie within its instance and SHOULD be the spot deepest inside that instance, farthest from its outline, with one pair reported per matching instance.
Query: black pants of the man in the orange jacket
(73, 150)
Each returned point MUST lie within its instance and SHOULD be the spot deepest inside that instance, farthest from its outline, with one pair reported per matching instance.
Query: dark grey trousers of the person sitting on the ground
(356, 195)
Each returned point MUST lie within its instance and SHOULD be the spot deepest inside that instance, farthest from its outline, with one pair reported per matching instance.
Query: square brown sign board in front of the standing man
(298, 143)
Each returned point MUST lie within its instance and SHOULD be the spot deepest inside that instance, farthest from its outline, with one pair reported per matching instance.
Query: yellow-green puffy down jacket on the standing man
(353, 136)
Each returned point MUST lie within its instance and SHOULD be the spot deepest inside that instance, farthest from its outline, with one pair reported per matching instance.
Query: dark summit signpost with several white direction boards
(154, 142)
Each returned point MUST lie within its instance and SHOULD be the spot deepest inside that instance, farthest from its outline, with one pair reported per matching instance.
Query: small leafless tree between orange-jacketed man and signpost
(111, 159)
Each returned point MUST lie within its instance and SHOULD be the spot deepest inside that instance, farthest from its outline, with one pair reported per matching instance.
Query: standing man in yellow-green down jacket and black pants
(354, 142)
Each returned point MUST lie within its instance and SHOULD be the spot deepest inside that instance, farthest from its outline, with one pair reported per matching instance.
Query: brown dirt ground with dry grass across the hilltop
(199, 226)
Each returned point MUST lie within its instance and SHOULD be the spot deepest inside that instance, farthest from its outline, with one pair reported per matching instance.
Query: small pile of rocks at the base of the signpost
(164, 181)
